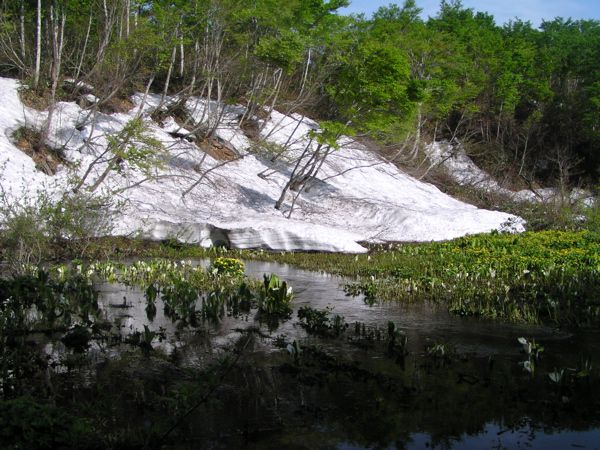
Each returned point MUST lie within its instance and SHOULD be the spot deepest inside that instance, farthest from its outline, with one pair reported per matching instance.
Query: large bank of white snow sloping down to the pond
(356, 196)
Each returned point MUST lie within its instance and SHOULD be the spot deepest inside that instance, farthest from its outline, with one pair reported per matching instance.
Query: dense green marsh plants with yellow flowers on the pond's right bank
(547, 276)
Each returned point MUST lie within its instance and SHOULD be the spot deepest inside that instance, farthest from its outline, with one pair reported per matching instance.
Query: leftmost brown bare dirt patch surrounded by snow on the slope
(46, 159)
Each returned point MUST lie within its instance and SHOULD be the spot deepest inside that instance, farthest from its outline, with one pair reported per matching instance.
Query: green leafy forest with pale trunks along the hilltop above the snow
(529, 94)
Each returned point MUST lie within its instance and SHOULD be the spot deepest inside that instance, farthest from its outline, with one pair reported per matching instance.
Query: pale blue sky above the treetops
(502, 10)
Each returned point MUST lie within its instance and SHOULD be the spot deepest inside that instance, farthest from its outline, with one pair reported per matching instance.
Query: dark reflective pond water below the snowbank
(349, 393)
